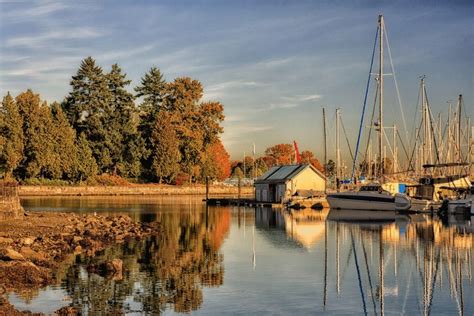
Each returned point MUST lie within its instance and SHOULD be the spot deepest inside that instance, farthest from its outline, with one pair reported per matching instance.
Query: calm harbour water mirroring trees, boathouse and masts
(230, 260)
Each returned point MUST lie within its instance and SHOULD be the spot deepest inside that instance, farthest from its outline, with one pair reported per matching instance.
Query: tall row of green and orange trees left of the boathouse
(164, 132)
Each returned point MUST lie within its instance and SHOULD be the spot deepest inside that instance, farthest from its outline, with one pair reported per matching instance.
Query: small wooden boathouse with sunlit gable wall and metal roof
(281, 182)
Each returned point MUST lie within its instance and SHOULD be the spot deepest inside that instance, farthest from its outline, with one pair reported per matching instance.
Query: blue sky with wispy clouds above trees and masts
(273, 64)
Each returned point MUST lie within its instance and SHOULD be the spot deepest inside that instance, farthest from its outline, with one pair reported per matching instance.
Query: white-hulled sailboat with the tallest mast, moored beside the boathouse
(372, 197)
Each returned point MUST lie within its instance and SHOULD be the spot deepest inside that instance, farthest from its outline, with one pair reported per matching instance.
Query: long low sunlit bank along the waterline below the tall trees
(133, 189)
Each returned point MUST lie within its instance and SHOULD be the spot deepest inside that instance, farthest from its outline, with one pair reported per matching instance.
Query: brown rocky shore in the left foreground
(33, 246)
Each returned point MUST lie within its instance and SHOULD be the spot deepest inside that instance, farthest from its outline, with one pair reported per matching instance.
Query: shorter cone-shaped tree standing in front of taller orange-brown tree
(165, 150)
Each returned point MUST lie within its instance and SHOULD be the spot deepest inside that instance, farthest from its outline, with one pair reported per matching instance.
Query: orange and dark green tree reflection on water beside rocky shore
(169, 268)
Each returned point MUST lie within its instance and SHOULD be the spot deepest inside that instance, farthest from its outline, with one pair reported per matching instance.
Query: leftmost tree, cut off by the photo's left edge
(11, 136)
